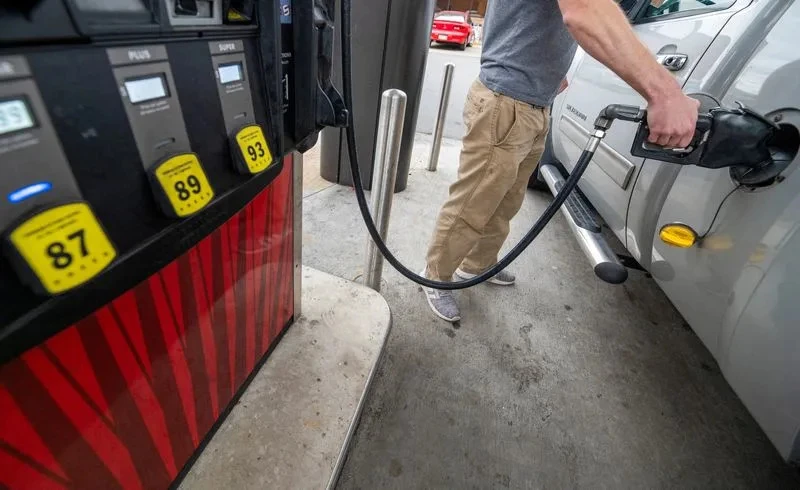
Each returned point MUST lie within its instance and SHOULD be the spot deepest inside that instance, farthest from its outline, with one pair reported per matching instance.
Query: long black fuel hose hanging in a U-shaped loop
(540, 224)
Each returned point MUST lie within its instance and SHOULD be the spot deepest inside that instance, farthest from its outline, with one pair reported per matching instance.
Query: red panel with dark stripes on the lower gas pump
(125, 397)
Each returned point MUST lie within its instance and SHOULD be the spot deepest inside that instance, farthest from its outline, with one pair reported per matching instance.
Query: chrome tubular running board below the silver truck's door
(587, 231)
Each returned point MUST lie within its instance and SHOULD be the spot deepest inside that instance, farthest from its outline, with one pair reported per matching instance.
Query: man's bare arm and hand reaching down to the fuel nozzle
(602, 30)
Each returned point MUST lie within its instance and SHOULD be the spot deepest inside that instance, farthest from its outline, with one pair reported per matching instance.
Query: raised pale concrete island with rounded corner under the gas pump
(289, 427)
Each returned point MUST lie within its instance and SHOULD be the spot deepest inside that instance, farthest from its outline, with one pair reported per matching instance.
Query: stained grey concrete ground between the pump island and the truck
(561, 381)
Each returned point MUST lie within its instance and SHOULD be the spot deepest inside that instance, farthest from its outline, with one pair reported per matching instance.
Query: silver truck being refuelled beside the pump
(738, 283)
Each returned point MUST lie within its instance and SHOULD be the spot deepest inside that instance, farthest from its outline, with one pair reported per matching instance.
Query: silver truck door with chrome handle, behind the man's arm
(677, 32)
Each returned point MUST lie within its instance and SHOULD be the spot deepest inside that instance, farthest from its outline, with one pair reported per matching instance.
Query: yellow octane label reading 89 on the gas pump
(184, 183)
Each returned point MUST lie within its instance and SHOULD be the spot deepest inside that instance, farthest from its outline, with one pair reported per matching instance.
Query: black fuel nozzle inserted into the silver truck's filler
(723, 137)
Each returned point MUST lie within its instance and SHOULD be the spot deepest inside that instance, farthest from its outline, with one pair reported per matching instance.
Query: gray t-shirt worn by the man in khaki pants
(527, 50)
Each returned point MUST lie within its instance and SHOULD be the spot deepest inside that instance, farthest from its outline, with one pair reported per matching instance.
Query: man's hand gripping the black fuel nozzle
(672, 120)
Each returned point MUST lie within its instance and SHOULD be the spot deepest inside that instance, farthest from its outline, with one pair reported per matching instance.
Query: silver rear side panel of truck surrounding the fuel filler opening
(739, 290)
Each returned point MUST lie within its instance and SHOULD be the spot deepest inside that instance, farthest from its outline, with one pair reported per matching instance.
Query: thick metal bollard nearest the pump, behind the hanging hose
(387, 156)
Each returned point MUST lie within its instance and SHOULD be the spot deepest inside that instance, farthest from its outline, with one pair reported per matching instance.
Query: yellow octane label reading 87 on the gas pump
(64, 246)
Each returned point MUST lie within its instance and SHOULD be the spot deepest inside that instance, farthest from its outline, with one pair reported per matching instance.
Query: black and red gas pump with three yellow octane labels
(146, 219)
